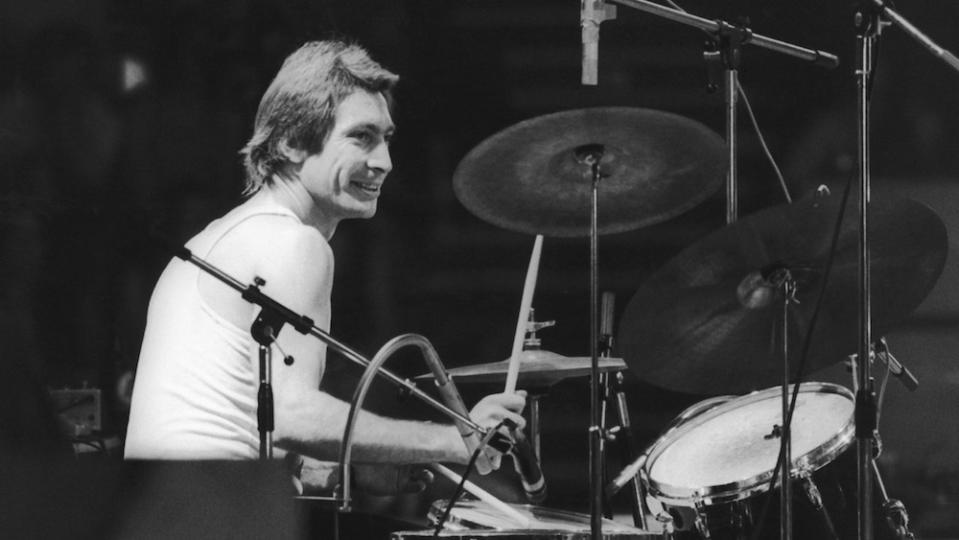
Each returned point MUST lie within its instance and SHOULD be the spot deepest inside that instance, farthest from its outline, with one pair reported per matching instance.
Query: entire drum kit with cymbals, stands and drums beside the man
(718, 318)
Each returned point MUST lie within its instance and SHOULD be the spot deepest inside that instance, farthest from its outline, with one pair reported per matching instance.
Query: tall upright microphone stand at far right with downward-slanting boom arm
(869, 19)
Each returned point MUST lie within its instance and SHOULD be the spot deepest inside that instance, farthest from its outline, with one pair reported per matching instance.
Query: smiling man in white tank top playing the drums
(319, 154)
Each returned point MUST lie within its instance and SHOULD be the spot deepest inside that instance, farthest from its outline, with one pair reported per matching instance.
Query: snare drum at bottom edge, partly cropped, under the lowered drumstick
(477, 520)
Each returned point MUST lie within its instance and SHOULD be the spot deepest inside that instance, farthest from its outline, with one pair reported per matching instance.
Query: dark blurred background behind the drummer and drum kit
(115, 113)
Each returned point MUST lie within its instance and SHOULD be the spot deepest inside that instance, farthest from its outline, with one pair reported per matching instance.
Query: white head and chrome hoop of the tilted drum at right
(729, 451)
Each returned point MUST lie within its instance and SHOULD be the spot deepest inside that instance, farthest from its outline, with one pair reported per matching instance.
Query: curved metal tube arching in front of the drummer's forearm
(446, 386)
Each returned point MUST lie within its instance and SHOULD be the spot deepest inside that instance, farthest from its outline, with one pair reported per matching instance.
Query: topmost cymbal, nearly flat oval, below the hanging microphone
(531, 177)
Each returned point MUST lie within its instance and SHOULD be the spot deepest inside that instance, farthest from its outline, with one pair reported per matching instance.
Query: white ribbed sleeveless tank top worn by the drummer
(194, 396)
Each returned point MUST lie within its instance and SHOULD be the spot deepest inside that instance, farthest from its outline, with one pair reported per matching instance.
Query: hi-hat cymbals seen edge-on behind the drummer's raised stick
(537, 368)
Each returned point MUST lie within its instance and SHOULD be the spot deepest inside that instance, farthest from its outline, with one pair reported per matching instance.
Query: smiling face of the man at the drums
(344, 179)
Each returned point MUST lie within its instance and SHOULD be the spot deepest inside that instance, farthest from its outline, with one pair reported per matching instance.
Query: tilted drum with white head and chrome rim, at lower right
(711, 469)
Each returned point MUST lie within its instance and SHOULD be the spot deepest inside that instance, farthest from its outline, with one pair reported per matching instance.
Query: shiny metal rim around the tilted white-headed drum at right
(743, 489)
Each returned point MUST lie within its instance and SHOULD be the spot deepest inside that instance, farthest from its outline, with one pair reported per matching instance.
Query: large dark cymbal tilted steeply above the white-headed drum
(705, 322)
